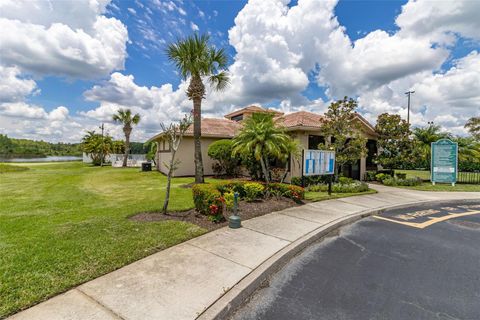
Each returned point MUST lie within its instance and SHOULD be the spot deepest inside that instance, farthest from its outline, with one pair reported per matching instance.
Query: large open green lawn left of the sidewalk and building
(64, 224)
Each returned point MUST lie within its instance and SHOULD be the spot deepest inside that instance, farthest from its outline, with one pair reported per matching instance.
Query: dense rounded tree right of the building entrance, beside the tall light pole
(395, 146)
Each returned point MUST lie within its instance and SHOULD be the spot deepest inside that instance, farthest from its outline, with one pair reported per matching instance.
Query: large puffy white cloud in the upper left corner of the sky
(71, 39)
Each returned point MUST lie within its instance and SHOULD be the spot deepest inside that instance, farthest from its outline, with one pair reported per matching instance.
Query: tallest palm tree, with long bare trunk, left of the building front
(196, 59)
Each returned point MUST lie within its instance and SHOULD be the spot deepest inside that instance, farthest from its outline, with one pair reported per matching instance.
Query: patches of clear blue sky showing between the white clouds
(151, 67)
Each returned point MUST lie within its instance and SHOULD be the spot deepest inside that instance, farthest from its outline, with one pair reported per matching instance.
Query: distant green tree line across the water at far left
(15, 148)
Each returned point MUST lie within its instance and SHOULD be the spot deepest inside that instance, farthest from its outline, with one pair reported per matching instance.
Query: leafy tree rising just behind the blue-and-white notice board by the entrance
(342, 127)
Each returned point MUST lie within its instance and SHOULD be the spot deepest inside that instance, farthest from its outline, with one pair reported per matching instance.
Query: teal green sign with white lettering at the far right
(444, 162)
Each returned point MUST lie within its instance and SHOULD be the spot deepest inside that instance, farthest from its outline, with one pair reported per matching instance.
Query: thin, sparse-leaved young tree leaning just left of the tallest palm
(174, 134)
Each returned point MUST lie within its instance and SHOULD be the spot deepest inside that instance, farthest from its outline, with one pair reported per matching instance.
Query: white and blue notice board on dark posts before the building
(318, 162)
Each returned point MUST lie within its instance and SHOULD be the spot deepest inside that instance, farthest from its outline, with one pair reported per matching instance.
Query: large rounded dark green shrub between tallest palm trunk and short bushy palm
(221, 151)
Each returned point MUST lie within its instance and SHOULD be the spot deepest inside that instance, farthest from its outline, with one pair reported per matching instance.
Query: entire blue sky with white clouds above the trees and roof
(68, 66)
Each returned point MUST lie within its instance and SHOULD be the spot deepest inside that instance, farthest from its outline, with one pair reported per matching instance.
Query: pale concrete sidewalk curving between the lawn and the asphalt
(185, 280)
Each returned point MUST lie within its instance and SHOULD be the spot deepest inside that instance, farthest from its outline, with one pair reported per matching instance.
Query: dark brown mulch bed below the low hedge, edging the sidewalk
(247, 210)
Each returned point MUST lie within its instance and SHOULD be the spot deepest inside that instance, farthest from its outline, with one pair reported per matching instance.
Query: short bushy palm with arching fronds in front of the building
(261, 138)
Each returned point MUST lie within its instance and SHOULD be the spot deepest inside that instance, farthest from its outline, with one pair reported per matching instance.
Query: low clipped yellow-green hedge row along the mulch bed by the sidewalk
(209, 198)
